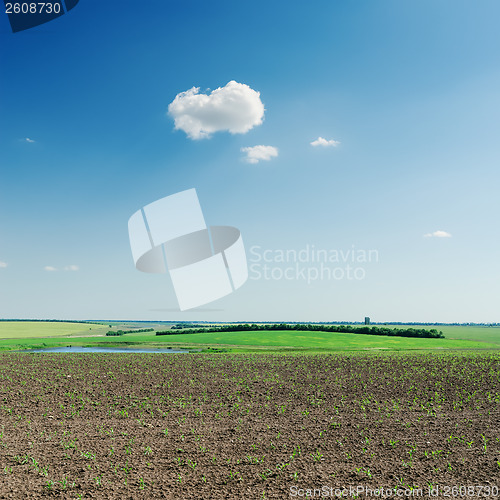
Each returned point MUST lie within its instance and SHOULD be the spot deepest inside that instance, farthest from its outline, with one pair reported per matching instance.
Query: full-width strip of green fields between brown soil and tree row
(24, 335)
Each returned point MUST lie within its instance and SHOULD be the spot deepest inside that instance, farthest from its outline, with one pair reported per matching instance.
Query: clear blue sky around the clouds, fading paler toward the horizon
(410, 90)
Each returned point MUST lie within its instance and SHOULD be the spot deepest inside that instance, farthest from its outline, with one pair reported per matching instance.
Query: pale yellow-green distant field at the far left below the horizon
(42, 329)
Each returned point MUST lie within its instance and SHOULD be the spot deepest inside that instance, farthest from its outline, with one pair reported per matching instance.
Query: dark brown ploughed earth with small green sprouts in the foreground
(247, 426)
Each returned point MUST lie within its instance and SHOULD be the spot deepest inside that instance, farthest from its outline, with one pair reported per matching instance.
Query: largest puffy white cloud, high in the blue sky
(236, 108)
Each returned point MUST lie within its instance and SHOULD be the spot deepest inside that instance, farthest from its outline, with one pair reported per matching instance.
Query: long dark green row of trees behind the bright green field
(366, 330)
